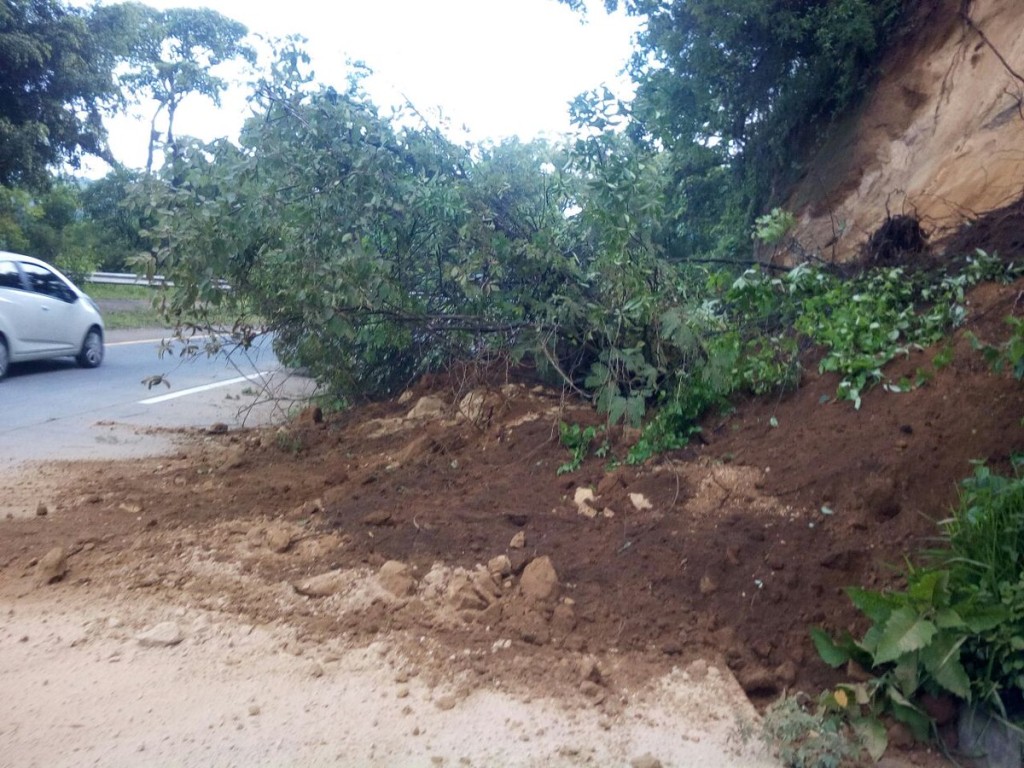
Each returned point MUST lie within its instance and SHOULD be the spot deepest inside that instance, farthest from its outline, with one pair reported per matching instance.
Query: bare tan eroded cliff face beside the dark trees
(942, 138)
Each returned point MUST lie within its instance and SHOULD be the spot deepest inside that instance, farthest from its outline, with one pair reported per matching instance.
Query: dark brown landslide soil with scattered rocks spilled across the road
(729, 550)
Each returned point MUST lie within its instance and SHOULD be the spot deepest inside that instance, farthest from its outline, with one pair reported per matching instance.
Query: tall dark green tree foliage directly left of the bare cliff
(738, 92)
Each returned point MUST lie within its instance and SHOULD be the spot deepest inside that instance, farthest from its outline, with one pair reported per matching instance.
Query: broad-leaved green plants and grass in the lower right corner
(959, 626)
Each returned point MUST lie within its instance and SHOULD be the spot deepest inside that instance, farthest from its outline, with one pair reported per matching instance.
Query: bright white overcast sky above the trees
(501, 68)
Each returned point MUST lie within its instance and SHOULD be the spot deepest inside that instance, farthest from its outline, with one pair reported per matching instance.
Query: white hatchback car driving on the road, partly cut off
(45, 315)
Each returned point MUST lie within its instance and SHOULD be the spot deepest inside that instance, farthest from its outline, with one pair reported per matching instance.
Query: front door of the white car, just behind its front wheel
(53, 329)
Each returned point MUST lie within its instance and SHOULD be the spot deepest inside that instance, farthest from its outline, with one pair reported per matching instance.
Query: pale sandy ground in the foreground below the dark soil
(82, 688)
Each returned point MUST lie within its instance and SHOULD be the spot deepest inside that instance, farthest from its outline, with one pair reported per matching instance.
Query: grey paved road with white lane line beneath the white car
(56, 410)
